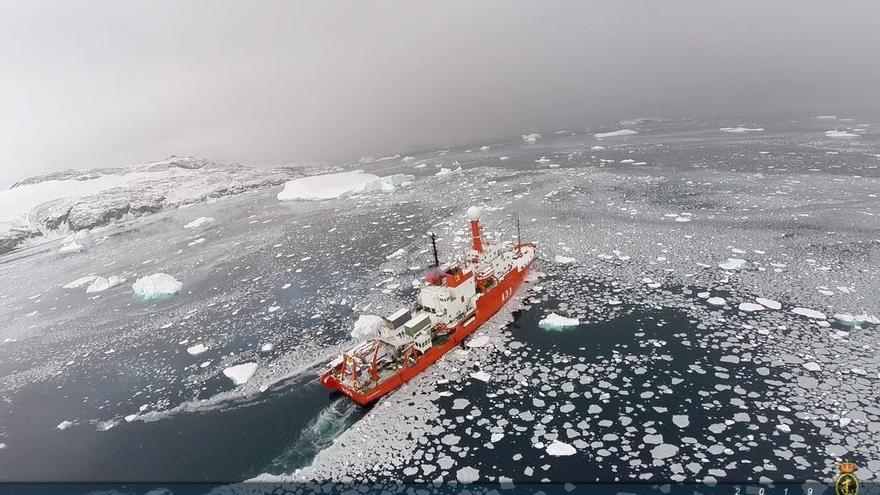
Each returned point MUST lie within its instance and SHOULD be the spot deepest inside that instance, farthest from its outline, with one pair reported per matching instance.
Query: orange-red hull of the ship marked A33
(488, 304)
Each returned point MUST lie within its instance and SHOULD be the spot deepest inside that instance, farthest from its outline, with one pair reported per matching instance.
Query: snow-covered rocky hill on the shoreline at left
(75, 200)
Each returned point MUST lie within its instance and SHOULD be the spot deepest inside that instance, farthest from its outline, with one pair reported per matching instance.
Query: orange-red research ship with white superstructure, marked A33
(453, 301)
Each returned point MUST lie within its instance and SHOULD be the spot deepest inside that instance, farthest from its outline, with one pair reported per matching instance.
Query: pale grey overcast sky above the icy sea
(106, 83)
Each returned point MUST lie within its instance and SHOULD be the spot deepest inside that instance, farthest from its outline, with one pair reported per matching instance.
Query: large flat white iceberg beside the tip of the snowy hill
(340, 185)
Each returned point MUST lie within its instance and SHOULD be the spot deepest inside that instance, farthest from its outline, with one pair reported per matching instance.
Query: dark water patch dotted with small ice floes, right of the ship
(639, 352)
